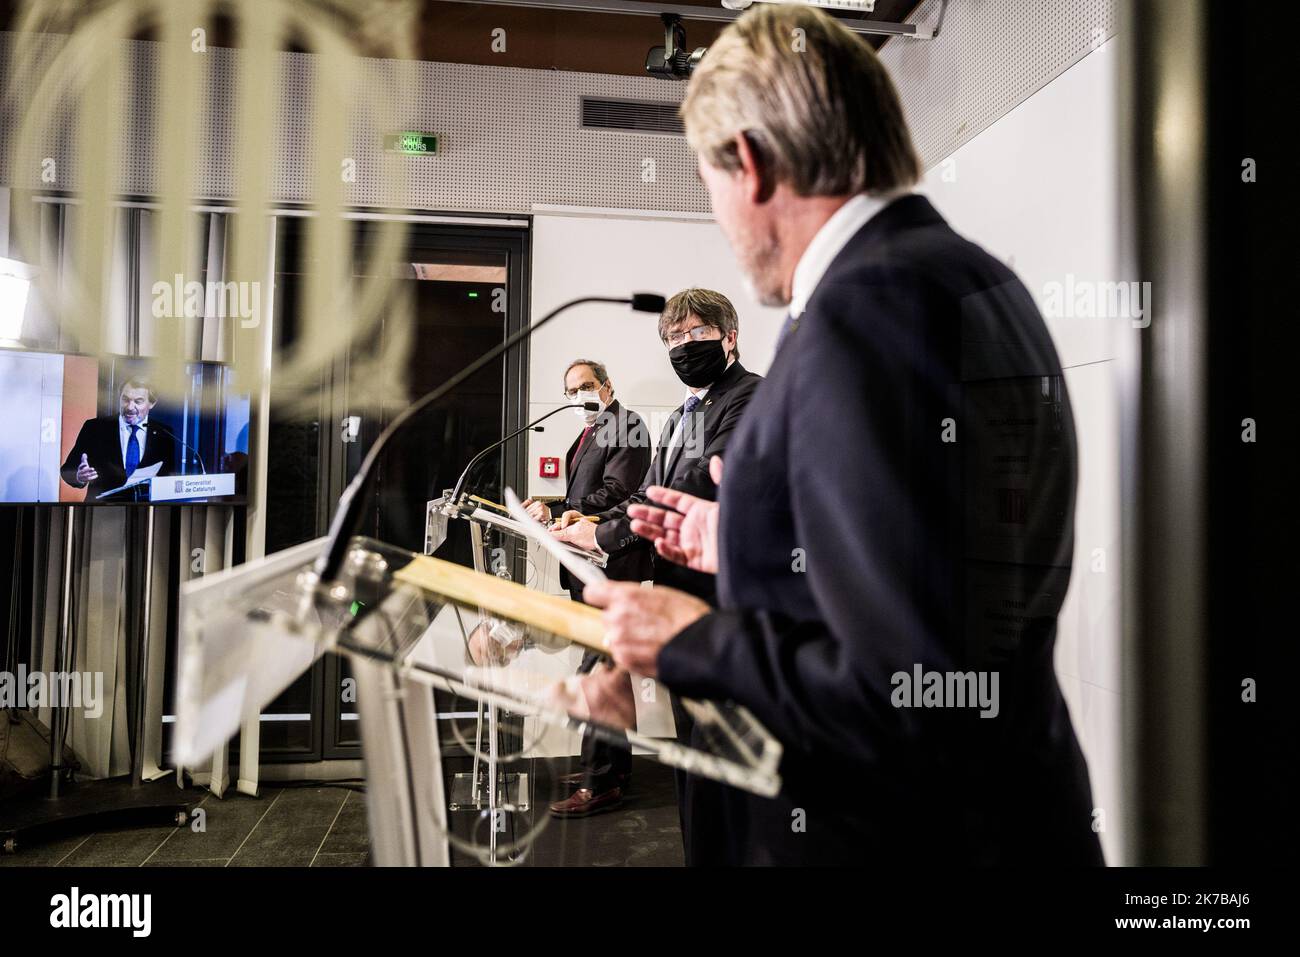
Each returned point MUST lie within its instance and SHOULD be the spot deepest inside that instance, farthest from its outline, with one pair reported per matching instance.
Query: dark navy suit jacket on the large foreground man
(902, 496)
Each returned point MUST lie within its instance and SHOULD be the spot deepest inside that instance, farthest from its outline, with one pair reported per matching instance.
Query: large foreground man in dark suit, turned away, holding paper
(895, 525)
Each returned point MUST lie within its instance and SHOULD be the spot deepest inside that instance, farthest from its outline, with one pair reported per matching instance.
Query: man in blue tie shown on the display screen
(112, 447)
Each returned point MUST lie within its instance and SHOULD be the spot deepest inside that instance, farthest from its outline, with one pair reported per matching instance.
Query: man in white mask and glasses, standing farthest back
(604, 465)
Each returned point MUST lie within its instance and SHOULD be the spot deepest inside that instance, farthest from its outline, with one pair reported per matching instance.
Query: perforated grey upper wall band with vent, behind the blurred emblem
(508, 138)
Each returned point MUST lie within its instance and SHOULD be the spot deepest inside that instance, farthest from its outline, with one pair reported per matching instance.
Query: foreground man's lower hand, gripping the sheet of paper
(642, 621)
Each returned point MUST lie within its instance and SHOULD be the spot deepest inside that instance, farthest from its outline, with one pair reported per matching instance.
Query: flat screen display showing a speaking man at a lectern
(97, 431)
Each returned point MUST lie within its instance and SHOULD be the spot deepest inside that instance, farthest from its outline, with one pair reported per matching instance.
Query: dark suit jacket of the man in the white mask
(609, 467)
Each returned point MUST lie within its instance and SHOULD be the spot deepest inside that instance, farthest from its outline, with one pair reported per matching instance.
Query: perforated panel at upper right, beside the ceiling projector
(990, 57)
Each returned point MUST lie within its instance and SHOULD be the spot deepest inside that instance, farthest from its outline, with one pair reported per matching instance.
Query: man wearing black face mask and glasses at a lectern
(701, 331)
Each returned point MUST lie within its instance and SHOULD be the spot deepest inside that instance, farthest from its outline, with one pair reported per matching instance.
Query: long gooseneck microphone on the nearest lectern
(350, 505)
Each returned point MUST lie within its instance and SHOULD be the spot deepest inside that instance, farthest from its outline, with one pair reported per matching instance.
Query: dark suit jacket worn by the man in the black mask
(686, 467)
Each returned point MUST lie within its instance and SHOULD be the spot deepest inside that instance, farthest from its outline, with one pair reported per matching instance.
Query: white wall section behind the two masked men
(592, 254)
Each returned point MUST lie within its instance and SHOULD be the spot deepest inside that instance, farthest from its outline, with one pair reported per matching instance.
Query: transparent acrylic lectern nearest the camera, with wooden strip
(435, 648)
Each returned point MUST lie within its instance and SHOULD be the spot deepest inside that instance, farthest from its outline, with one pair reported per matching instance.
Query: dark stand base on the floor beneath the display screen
(92, 807)
